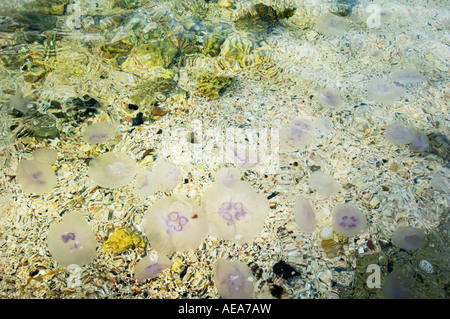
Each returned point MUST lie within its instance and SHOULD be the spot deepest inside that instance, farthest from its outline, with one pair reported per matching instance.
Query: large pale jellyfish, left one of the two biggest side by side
(174, 223)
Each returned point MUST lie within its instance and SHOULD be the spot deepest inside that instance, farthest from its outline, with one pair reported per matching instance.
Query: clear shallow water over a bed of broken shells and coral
(277, 89)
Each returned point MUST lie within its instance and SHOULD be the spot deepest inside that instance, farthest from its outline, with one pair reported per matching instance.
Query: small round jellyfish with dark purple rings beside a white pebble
(348, 220)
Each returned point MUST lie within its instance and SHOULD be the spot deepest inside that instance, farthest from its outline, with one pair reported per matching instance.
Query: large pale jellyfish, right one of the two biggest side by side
(235, 212)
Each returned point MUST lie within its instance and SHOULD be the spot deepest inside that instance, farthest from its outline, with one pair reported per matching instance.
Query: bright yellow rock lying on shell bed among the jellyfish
(123, 239)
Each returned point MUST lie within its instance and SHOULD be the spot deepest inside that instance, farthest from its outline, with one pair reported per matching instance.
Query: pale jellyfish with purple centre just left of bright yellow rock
(71, 241)
